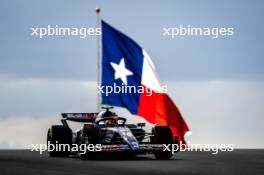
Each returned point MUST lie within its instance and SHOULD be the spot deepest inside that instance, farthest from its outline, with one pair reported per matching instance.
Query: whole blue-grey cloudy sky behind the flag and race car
(217, 83)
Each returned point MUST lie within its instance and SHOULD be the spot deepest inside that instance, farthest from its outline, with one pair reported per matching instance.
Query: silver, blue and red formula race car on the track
(111, 134)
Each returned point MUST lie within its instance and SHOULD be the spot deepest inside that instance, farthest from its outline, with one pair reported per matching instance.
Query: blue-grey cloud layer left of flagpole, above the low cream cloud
(42, 97)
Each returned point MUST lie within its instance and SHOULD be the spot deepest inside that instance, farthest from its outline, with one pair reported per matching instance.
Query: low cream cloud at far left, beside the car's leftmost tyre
(21, 132)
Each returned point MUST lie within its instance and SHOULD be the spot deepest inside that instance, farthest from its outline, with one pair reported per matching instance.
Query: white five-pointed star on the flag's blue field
(121, 71)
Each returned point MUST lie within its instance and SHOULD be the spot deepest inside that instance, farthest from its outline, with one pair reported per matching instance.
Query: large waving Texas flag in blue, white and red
(125, 63)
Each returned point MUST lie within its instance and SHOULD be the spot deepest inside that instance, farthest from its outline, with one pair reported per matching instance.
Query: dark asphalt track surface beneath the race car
(13, 162)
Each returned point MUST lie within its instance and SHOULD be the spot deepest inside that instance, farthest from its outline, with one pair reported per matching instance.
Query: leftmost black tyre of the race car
(59, 134)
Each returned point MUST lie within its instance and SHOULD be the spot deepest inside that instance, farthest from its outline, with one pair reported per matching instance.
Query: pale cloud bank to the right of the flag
(222, 111)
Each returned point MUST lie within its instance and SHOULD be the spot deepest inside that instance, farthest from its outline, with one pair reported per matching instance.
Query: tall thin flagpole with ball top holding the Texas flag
(97, 10)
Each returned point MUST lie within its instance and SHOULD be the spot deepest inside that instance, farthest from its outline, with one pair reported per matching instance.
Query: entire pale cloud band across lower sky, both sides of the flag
(216, 111)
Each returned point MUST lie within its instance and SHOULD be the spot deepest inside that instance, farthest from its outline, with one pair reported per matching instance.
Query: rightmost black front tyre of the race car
(162, 135)
